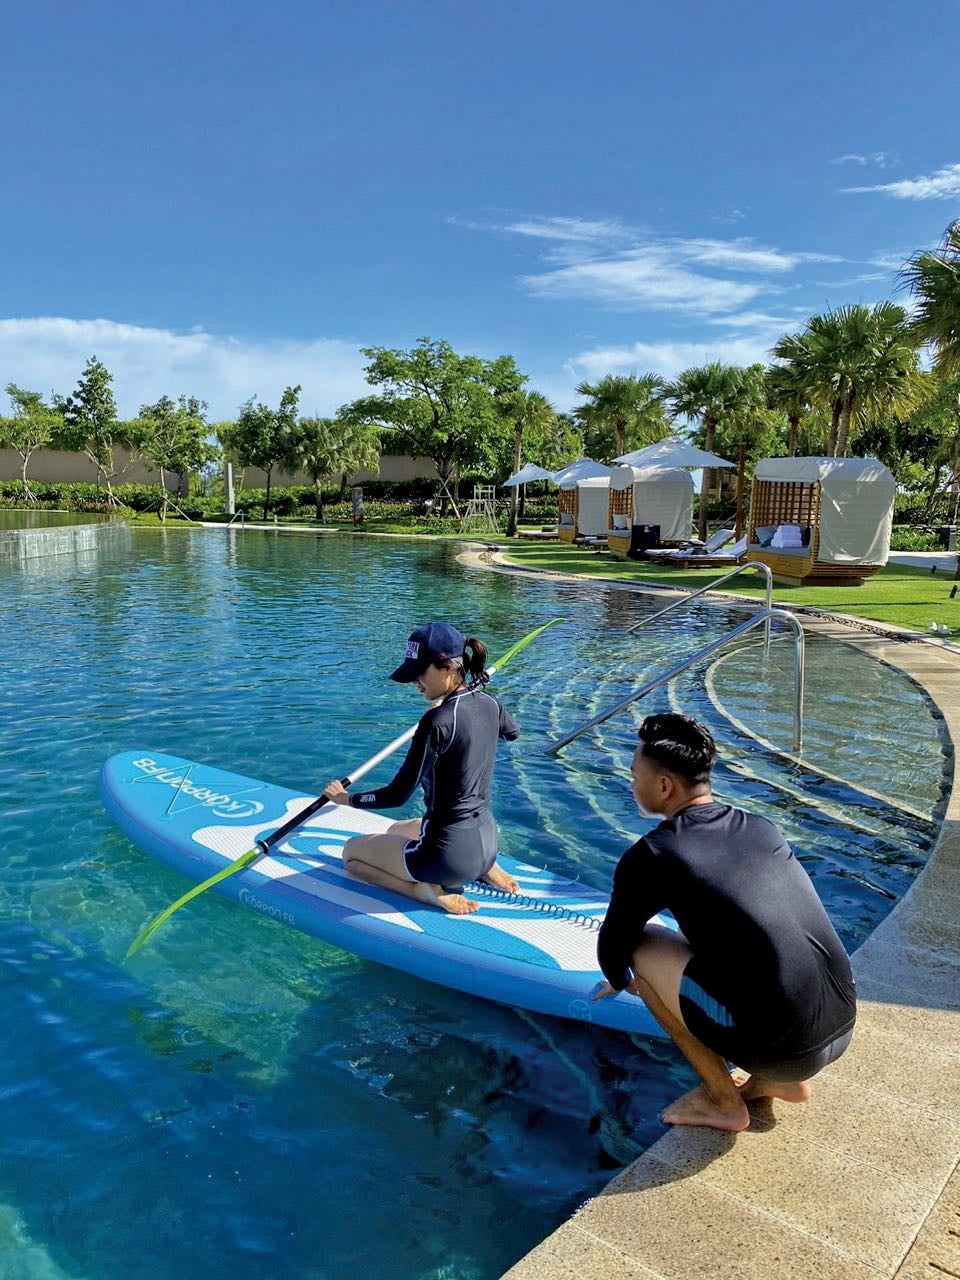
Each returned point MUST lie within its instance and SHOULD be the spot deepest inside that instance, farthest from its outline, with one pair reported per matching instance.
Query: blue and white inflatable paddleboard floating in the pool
(536, 950)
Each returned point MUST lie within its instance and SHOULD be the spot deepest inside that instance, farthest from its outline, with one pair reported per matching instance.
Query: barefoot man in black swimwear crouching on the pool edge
(757, 975)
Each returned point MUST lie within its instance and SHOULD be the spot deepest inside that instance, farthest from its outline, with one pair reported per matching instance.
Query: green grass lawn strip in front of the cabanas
(900, 596)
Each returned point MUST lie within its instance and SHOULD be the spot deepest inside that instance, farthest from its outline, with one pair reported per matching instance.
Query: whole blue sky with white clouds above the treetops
(221, 199)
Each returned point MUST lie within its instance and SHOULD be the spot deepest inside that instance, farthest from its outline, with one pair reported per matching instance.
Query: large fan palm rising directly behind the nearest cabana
(862, 363)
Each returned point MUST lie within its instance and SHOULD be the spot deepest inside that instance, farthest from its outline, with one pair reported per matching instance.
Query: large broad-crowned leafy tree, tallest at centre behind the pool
(440, 405)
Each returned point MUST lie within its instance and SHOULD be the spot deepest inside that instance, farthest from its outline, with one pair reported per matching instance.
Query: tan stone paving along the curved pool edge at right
(865, 1182)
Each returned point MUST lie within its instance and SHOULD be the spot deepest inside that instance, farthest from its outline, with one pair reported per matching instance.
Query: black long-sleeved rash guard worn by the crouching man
(762, 941)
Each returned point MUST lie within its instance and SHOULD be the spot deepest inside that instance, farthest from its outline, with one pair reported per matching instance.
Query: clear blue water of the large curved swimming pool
(245, 1101)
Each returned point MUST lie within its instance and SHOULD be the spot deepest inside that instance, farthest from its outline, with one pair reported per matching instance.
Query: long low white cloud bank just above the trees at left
(49, 353)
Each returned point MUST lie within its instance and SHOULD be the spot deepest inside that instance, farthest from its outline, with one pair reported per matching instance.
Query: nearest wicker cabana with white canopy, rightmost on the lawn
(821, 520)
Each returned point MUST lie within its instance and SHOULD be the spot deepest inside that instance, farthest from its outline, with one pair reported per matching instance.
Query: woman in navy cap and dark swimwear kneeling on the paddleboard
(451, 757)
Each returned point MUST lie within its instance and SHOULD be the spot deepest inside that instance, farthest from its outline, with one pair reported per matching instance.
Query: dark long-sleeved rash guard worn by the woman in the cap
(451, 757)
